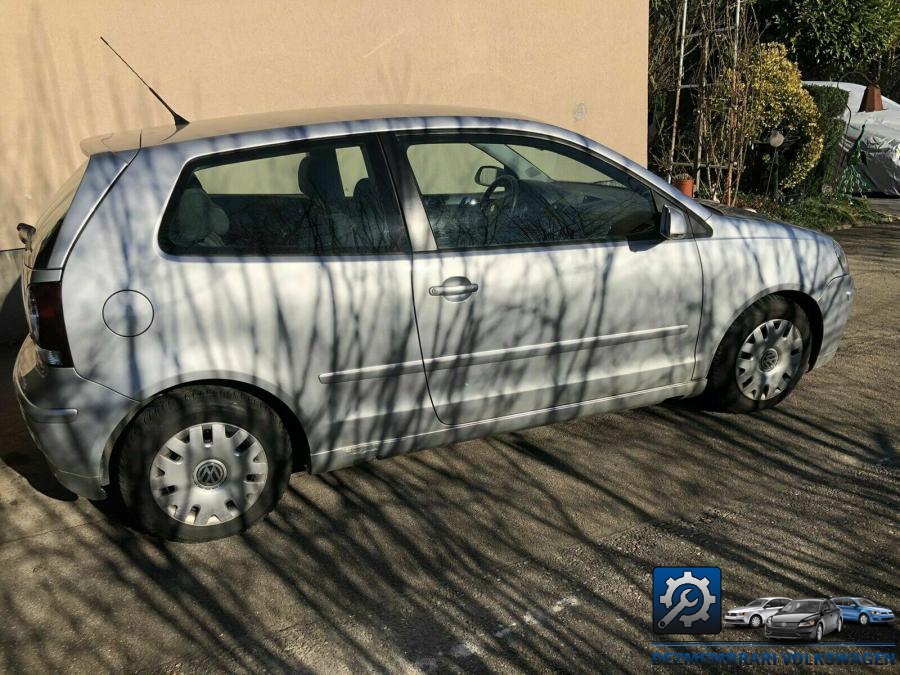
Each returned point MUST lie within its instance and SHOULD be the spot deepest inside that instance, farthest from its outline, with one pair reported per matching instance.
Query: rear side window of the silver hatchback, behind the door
(317, 198)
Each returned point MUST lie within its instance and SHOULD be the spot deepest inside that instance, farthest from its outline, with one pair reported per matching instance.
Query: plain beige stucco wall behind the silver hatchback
(581, 64)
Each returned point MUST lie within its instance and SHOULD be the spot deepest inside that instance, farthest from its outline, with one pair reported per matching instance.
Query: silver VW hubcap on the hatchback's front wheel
(769, 359)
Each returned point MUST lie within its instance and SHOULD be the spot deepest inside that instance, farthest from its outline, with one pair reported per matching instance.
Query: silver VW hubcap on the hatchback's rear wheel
(208, 474)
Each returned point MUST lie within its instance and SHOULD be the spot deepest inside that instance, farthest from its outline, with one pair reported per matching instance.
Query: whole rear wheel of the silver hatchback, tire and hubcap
(201, 463)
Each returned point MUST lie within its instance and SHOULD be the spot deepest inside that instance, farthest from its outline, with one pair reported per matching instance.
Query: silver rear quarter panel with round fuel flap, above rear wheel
(277, 324)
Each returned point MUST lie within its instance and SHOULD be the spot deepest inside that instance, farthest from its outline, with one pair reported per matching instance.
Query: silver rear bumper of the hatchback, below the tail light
(70, 420)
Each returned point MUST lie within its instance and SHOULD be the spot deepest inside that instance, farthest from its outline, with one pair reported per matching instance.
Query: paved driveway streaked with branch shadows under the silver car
(525, 551)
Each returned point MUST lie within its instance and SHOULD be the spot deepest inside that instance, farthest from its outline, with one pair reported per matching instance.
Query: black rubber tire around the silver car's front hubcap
(723, 391)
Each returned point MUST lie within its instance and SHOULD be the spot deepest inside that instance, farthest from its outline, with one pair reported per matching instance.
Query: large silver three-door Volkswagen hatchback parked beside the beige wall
(214, 305)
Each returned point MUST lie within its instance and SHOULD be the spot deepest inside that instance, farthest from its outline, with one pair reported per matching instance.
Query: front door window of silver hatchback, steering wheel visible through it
(496, 190)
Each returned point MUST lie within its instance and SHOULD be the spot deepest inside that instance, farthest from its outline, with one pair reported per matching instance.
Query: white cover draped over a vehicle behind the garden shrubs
(879, 138)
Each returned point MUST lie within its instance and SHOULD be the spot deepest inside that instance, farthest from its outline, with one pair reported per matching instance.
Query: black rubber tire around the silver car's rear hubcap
(173, 412)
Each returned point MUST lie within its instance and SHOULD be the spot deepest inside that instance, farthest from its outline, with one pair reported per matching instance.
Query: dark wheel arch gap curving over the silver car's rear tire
(292, 422)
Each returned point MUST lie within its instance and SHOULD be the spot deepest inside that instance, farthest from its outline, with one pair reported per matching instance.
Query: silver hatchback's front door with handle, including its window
(540, 279)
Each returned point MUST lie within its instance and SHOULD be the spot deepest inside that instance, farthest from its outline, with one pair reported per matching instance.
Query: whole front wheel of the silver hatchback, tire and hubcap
(761, 358)
